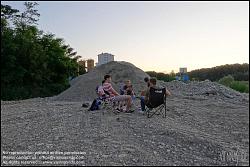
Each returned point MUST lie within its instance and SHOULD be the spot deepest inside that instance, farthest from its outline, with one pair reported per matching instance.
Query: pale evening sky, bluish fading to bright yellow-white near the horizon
(155, 36)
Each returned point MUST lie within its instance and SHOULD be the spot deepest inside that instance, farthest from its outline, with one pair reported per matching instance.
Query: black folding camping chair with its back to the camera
(156, 102)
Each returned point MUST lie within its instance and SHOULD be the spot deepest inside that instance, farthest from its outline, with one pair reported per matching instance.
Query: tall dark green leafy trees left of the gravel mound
(33, 63)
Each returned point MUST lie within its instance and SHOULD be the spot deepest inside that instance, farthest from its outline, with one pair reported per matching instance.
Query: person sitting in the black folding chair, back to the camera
(144, 99)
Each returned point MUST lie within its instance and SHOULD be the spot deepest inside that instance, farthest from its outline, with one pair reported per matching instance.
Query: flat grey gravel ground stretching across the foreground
(197, 131)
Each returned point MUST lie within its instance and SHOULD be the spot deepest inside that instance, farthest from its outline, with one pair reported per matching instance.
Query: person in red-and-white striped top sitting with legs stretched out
(116, 97)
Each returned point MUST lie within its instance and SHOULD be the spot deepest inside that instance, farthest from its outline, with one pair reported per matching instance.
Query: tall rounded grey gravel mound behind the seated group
(83, 87)
